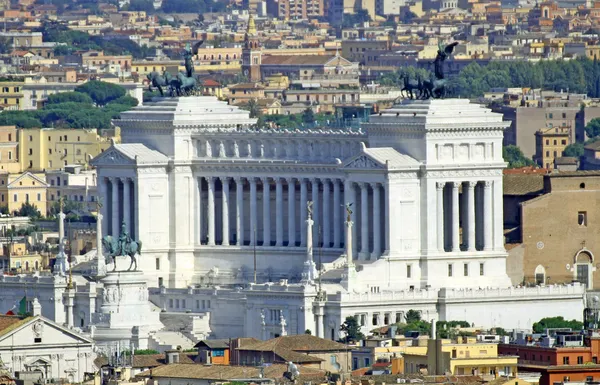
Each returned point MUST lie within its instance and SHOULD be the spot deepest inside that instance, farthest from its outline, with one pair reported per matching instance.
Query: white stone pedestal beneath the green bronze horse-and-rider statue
(126, 315)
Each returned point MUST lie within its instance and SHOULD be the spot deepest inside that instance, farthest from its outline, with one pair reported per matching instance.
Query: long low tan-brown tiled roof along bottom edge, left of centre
(224, 372)
